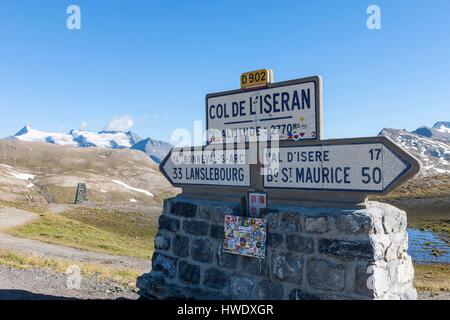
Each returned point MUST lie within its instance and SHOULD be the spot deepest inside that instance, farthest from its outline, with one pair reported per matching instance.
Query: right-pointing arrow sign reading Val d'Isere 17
(368, 165)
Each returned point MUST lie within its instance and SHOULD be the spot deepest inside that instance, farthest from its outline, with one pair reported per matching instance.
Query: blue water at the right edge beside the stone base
(421, 245)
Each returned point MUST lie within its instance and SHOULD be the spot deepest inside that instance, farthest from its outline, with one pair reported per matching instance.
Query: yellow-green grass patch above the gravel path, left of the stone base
(97, 233)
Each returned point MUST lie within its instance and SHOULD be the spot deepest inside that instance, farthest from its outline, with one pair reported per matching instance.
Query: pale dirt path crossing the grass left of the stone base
(10, 217)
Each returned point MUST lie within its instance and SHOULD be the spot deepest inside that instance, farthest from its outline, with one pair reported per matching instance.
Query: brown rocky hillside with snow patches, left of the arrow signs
(46, 173)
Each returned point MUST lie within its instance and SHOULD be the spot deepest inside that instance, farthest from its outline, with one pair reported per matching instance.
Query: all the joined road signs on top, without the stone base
(300, 169)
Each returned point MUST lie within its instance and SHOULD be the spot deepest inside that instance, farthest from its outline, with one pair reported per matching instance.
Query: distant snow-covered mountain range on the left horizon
(80, 138)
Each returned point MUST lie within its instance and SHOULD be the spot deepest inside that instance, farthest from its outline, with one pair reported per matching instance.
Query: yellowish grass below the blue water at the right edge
(432, 277)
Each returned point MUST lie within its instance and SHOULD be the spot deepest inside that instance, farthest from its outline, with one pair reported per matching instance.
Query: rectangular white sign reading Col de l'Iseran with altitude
(289, 110)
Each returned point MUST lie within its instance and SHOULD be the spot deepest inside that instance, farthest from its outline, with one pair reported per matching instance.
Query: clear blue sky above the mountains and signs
(155, 61)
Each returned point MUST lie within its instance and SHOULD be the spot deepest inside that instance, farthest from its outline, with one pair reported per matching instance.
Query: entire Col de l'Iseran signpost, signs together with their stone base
(284, 181)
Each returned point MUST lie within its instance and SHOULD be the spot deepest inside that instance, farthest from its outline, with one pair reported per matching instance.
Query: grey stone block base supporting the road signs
(311, 254)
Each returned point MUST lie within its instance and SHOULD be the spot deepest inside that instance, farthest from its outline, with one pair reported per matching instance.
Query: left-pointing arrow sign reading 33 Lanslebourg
(208, 166)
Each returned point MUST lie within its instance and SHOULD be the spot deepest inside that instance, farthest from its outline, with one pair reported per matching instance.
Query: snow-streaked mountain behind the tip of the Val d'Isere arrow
(433, 151)
